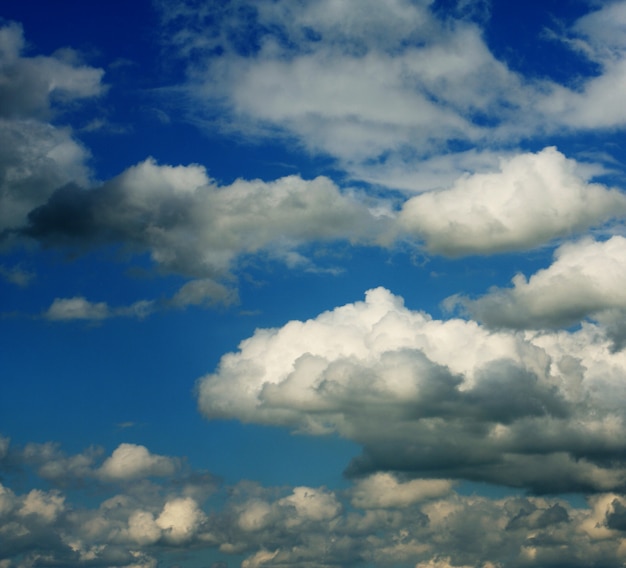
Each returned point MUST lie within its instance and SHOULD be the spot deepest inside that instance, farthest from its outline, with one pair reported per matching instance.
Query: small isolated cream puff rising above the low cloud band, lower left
(131, 461)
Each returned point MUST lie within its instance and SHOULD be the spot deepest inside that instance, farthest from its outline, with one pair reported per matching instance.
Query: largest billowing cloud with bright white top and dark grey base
(448, 399)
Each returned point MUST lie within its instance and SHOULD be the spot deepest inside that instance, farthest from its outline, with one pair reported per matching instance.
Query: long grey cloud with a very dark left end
(192, 226)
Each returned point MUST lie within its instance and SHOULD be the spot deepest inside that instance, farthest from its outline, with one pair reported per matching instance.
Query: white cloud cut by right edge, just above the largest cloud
(586, 279)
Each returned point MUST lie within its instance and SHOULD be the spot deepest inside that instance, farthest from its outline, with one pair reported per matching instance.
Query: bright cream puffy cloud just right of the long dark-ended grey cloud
(533, 199)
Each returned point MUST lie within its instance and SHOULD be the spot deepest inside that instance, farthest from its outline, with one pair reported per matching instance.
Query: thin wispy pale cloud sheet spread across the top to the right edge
(334, 77)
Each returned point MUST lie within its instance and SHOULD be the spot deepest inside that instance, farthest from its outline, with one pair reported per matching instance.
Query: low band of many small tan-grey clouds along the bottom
(381, 519)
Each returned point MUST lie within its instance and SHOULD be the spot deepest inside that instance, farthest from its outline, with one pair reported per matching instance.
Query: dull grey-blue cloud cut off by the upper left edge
(35, 157)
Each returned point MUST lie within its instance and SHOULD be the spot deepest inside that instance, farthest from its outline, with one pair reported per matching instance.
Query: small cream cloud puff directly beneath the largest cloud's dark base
(384, 491)
